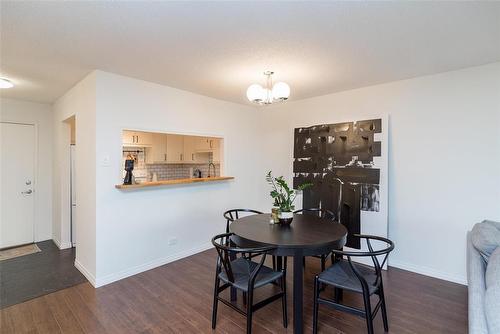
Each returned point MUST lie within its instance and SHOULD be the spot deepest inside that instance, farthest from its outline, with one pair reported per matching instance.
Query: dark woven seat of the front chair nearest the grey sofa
(341, 275)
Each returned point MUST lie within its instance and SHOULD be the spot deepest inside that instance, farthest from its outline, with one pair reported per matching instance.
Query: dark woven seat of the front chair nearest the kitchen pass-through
(242, 268)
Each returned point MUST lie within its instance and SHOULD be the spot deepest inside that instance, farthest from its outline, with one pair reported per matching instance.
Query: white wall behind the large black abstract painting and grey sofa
(444, 158)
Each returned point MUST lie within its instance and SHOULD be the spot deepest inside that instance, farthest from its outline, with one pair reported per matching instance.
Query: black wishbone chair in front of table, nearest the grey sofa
(346, 275)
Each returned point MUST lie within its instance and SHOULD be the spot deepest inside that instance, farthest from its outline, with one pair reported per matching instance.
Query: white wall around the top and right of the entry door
(41, 116)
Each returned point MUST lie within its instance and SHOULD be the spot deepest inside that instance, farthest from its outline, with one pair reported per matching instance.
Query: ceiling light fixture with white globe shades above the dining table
(269, 94)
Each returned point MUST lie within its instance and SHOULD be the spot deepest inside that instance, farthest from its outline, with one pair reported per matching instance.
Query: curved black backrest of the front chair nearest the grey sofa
(374, 254)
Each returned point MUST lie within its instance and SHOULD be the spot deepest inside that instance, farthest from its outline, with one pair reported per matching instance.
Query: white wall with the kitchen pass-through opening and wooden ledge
(133, 227)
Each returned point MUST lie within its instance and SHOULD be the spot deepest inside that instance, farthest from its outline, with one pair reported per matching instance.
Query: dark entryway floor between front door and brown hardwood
(35, 275)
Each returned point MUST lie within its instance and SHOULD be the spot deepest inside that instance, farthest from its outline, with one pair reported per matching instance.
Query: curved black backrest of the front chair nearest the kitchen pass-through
(228, 250)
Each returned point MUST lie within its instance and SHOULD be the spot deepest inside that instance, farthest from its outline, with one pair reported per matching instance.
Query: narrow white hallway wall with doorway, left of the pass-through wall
(81, 102)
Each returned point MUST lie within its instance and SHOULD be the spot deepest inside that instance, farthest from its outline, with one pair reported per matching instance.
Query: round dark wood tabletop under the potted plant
(310, 233)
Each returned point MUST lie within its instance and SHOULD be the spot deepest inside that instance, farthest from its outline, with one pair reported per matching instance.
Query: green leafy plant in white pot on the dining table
(284, 196)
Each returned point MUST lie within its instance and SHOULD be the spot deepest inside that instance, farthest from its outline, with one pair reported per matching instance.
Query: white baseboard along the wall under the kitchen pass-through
(101, 281)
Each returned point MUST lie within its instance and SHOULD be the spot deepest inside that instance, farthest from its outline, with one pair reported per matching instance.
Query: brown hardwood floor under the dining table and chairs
(177, 298)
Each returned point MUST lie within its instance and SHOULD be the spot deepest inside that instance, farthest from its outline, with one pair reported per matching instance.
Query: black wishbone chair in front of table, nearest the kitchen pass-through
(245, 275)
